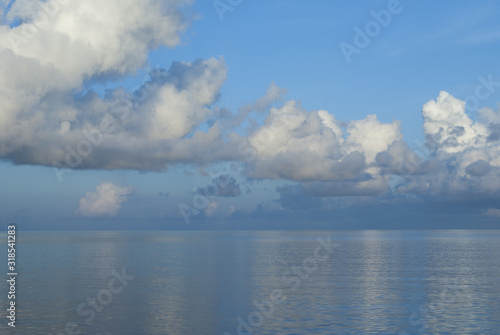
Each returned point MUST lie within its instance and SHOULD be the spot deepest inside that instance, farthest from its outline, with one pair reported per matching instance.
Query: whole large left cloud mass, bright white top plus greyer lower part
(47, 117)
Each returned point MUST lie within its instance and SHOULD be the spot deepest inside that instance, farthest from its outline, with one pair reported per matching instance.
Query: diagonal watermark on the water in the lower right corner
(428, 315)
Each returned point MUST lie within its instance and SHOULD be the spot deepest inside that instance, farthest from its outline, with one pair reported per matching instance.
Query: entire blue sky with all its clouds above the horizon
(230, 114)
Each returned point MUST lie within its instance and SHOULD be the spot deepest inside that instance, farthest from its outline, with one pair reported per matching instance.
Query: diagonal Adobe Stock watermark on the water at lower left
(93, 305)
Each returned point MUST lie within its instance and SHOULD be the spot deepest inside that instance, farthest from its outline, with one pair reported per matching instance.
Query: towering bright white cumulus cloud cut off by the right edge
(465, 154)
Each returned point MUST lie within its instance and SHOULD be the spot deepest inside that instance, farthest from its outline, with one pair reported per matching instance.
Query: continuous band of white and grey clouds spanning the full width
(52, 51)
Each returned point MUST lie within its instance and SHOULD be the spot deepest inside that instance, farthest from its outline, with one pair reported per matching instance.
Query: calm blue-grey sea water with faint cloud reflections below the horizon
(256, 282)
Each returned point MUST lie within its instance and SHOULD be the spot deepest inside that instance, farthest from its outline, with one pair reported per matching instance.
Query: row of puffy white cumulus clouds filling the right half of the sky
(460, 159)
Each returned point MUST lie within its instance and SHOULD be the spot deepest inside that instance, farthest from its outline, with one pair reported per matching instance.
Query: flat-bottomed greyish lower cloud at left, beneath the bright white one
(120, 131)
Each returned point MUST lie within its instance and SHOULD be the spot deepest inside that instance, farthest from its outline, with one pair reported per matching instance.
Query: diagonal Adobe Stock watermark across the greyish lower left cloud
(120, 110)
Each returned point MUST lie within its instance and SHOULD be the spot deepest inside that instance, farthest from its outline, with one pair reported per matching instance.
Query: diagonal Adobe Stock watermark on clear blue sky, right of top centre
(364, 36)
